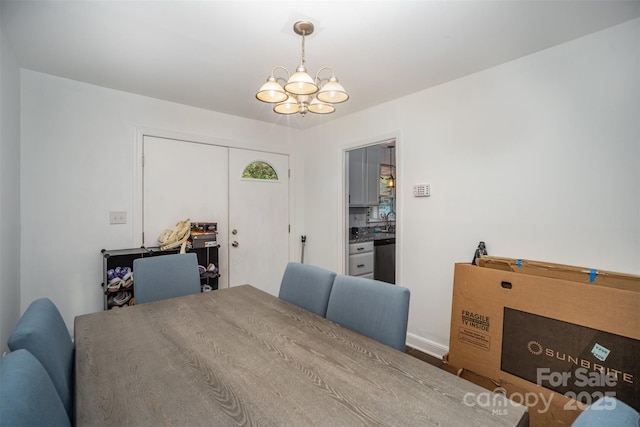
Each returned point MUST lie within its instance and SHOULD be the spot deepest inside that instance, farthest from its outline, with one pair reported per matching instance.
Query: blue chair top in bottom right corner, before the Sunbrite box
(606, 412)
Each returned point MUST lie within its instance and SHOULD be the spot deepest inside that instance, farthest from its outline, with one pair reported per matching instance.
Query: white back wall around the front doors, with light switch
(78, 148)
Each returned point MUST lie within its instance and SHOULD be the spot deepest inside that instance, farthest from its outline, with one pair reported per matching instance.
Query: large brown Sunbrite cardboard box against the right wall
(548, 333)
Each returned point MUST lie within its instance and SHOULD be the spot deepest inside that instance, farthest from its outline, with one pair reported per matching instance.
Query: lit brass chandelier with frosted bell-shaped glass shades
(301, 93)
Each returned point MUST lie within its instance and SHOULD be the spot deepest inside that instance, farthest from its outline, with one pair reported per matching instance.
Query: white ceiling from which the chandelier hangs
(216, 54)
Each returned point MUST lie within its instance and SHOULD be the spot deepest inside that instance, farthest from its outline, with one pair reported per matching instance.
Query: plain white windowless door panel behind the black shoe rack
(181, 180)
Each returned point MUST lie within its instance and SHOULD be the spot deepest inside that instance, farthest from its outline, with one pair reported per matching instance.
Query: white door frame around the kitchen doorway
(344, 212)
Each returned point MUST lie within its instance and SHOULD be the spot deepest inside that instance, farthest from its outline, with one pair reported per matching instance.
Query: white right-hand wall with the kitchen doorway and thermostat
(538, 157)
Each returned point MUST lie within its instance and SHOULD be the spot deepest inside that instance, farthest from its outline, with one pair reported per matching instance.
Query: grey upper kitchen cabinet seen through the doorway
(364, 176)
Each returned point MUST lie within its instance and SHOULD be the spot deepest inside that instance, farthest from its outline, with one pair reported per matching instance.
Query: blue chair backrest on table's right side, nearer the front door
(307, 286)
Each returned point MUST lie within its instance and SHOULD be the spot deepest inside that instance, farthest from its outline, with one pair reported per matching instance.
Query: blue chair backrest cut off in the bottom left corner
(27, 395)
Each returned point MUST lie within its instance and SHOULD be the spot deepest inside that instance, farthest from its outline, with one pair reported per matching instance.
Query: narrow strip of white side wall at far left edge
(9, 191)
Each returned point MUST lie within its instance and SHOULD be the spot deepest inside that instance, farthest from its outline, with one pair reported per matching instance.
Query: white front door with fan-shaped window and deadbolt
(258, 221)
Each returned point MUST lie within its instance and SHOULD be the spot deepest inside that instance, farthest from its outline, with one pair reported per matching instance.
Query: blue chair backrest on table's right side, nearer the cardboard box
(376, 309)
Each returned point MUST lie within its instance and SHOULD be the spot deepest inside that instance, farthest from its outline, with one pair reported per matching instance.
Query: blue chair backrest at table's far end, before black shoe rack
(165, 276)
